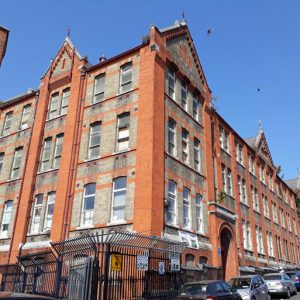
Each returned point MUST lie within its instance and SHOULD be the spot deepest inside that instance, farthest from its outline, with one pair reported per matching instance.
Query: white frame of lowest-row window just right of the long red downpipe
(87, 215)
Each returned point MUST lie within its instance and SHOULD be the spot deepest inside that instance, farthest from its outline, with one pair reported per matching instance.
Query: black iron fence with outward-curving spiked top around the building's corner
(121, 265)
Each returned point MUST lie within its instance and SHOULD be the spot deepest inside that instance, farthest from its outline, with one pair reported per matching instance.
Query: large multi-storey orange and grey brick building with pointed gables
(133, 143)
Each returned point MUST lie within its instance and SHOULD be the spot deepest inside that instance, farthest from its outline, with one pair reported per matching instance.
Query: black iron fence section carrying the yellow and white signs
(139, 274)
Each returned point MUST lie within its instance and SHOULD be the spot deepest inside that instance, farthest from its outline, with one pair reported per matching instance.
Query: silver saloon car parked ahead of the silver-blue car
(280, 284)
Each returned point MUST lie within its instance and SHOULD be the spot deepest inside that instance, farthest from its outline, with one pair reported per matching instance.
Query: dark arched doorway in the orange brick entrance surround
(226, 252)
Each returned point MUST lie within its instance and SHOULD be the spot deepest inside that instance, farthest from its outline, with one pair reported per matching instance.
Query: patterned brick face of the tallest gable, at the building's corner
(185, 57)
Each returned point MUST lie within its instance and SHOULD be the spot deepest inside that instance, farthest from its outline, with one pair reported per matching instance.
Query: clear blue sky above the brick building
(254, 44)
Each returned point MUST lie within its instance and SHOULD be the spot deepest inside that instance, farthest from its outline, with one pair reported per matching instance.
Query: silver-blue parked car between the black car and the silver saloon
(251, 287)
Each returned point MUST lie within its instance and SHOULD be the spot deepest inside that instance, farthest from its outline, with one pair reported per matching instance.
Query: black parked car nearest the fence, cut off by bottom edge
(208, 290)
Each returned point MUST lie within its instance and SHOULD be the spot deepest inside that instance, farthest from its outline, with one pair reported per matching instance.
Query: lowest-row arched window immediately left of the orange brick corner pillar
(119, 199)
